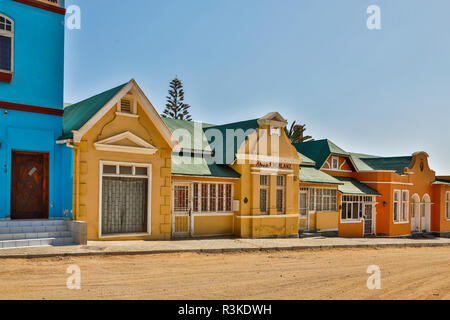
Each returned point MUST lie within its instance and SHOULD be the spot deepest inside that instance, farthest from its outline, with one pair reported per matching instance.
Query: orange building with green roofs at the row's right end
(384, 196)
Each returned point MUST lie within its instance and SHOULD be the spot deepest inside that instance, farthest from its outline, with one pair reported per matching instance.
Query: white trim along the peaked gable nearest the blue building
(147, 106)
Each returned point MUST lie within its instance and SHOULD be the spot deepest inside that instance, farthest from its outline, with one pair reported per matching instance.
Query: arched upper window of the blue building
(6, 44)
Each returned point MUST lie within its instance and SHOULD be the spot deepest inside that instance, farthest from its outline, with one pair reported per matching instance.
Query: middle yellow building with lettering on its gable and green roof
(235, 179)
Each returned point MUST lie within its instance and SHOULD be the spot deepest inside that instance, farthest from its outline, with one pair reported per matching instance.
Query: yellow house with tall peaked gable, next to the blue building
(122, 165)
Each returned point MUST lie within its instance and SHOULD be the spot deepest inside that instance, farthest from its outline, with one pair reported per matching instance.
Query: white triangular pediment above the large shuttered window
(125, 142)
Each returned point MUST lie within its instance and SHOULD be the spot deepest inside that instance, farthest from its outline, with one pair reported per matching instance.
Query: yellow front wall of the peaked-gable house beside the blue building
(87, 160)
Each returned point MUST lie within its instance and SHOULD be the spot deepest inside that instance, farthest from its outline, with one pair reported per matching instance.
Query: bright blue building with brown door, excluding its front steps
(35, 171)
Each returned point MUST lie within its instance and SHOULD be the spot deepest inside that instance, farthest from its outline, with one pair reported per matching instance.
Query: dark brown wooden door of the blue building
(29, 185)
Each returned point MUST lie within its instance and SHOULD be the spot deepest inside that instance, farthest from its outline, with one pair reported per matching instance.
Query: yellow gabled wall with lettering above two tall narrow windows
(249, 222)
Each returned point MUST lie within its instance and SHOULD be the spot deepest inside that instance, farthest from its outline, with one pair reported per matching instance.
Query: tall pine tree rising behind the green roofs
(175, 107)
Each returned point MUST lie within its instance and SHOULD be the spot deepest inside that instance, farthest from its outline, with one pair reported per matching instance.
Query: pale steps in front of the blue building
(34, 233)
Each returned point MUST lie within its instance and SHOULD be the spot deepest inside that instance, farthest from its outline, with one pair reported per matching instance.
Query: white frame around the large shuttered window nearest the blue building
(149, 202)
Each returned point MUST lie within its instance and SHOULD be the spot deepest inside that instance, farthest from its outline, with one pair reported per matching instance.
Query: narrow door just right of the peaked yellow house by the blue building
(182, 211)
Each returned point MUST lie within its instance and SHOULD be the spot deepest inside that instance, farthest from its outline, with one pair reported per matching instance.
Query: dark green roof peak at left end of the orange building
(319, 150)
